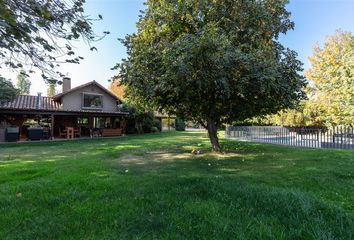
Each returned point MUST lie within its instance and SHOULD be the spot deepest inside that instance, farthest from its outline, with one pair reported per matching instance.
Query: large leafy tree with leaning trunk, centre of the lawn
(212, 61)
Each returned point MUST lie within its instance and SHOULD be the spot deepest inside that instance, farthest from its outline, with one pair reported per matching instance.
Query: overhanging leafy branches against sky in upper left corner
(37, 34)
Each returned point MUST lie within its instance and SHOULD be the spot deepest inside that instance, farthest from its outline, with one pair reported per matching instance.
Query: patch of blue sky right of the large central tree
(314, 20)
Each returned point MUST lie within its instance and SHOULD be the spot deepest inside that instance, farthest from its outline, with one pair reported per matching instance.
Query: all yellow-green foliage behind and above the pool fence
(331, 94)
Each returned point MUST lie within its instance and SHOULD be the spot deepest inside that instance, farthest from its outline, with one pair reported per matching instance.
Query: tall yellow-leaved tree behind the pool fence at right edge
(332, 75)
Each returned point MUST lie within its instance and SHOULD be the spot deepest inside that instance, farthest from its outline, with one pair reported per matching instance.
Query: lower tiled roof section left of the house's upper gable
(28, 102)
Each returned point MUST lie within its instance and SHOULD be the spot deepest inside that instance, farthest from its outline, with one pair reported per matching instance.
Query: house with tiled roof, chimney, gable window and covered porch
(87, 110)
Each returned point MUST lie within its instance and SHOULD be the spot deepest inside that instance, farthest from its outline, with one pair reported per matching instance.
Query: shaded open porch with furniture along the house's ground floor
(42, 125)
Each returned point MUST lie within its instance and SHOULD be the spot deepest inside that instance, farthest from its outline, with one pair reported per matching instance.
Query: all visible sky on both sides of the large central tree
(314, 20)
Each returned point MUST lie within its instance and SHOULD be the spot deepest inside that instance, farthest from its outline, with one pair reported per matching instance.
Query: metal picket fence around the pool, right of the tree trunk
(336, 137)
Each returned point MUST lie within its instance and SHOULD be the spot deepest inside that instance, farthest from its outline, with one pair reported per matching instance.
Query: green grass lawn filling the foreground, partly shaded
(151, 187)
